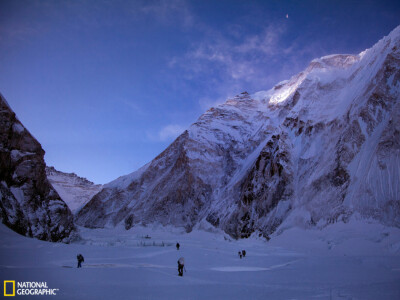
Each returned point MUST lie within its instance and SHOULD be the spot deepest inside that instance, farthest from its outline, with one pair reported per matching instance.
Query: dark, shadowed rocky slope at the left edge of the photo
(29, 204)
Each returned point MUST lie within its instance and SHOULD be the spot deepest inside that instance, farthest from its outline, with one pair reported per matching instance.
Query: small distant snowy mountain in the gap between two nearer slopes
(74, 190)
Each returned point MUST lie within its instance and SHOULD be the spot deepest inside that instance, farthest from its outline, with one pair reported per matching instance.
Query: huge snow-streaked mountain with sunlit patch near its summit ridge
(313, 150)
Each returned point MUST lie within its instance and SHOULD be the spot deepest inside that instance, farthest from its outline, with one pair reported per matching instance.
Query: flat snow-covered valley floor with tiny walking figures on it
(357, 260)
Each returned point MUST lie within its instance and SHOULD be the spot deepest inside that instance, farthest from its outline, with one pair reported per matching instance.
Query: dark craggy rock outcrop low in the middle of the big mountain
(269, 182)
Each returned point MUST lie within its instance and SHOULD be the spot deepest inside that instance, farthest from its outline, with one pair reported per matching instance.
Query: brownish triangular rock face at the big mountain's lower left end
(168, 205)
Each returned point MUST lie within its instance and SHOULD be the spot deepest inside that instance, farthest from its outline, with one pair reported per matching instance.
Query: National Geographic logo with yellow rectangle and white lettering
(28, 288)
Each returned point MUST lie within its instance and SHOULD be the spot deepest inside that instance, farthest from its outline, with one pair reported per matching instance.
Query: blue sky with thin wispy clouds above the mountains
(105, 86)
